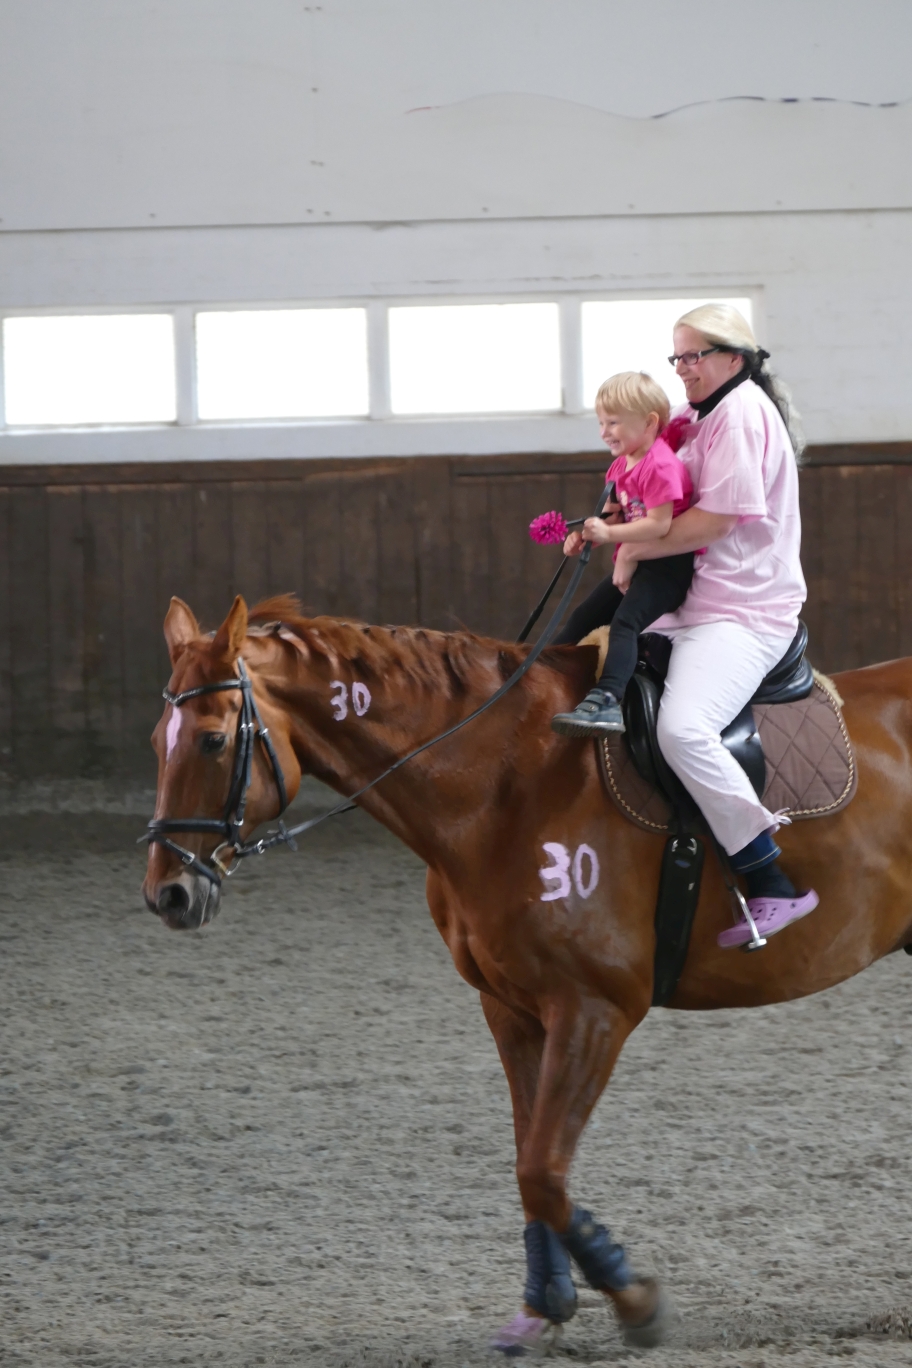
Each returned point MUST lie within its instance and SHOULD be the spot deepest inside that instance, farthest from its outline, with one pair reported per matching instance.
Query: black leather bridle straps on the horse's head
(250, 731)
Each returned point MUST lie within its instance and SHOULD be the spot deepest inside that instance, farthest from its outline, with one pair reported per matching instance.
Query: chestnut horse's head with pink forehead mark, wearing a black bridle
(219, 778)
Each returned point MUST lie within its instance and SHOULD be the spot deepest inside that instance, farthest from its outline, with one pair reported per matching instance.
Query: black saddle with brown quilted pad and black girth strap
(790, 739)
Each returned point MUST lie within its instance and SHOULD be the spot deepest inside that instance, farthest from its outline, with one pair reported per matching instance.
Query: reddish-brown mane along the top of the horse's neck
(440, 660)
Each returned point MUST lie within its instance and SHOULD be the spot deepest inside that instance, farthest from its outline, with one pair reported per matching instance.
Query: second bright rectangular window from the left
(282, 365)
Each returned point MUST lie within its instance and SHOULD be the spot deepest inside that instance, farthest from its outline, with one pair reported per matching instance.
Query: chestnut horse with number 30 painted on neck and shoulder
(544, 894)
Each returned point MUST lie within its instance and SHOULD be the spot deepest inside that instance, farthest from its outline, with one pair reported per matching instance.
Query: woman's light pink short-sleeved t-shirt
(742, 462)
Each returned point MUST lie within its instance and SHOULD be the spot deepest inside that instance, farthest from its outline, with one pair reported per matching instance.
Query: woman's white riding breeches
(716, 670)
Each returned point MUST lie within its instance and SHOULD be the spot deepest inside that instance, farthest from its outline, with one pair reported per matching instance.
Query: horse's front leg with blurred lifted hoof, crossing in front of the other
(583, 1043)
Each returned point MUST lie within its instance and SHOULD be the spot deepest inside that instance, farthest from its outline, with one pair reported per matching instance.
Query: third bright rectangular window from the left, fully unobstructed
(475, 359)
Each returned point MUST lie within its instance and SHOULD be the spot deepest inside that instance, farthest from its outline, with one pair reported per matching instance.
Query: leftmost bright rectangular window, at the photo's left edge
(90, 369)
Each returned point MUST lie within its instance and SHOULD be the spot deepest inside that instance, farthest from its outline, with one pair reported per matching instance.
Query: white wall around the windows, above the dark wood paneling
(214, 151)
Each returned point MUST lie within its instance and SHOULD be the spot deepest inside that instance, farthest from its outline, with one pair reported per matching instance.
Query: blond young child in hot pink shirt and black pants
(653, 488)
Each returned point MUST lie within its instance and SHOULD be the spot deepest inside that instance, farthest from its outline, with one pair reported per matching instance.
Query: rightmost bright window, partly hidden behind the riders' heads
(635, 336)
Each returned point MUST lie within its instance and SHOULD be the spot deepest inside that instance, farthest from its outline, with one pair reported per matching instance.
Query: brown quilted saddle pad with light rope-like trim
(810, 764)
